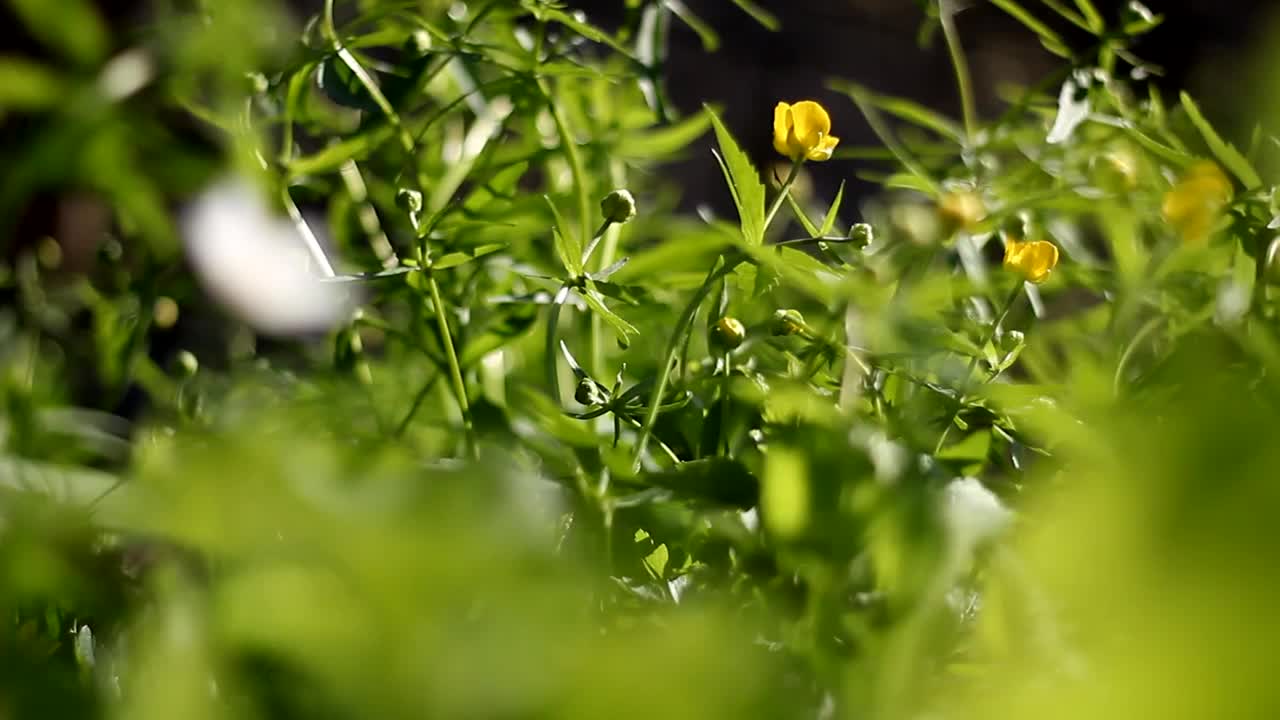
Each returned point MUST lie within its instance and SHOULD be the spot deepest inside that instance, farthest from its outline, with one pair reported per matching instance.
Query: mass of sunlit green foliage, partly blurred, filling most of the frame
(565, 463)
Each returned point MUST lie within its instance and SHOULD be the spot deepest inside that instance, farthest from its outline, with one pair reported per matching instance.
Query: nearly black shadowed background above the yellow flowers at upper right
(875, 43)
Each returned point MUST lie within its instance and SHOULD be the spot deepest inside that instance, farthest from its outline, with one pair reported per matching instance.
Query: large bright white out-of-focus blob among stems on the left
(257, 265)
